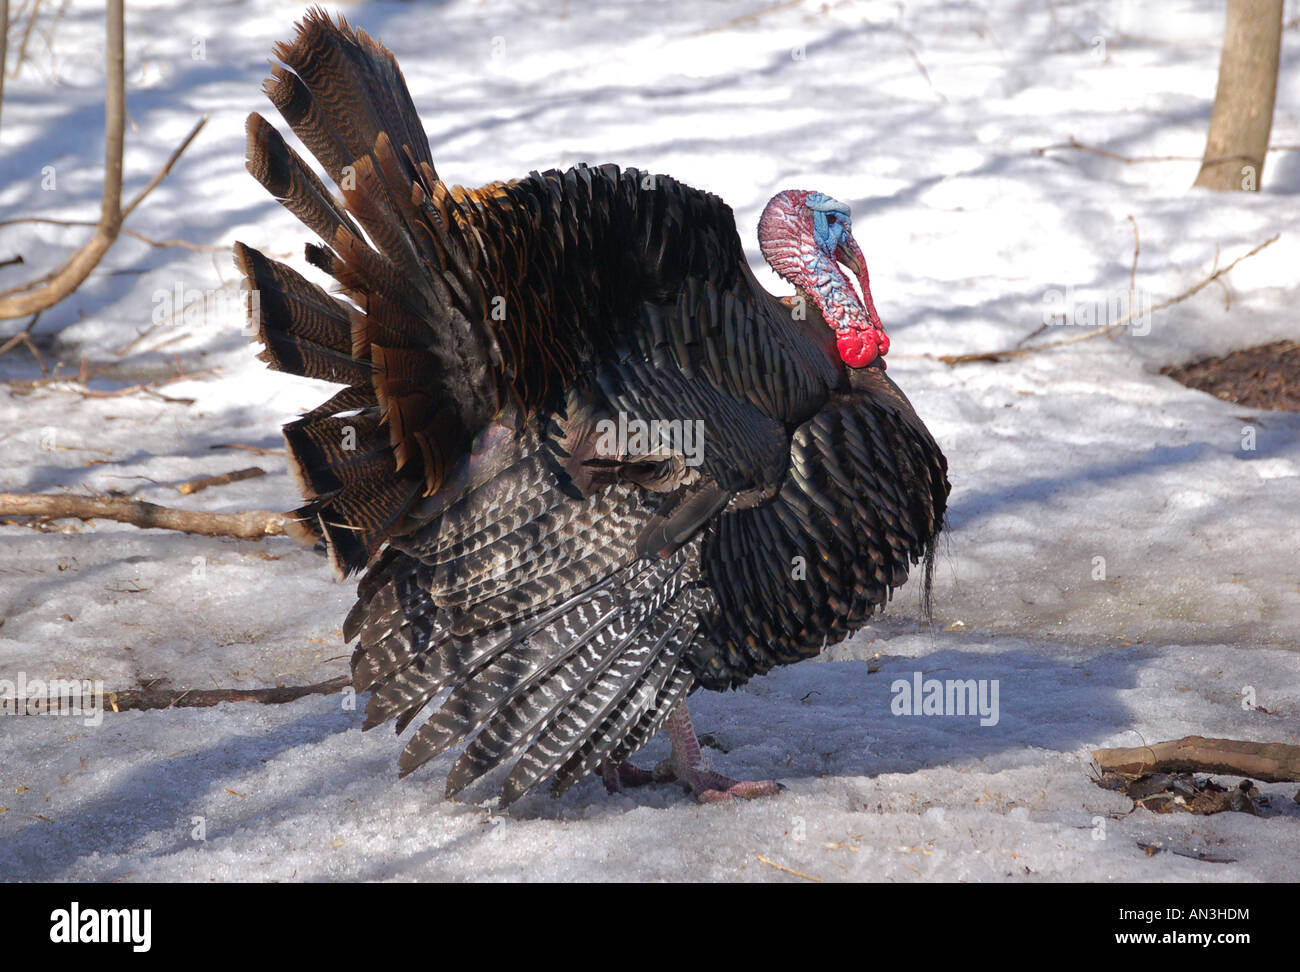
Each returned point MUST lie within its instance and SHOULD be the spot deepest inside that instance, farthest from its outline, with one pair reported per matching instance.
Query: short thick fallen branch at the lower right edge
(1269, 762)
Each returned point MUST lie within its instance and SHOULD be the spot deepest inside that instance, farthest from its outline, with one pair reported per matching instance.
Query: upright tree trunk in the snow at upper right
(1243, 103)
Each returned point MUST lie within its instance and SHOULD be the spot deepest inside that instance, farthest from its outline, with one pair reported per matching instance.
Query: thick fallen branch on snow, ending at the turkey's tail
(249, 526)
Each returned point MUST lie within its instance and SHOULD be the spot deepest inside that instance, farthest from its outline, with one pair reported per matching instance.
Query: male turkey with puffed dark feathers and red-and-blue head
(587, 462)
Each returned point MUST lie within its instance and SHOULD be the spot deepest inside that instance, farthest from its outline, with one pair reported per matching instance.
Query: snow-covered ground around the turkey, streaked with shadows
(1121, 556)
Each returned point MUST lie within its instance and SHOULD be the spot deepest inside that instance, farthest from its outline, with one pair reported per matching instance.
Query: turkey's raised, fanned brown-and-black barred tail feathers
(408, 337)
